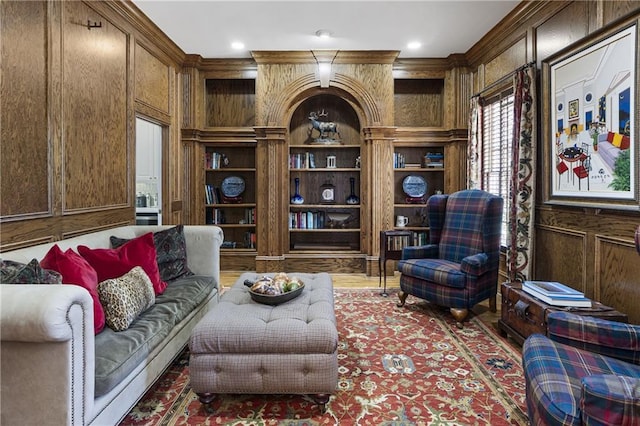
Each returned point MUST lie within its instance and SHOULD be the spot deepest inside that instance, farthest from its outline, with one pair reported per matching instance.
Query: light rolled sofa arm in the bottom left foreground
(48, 363)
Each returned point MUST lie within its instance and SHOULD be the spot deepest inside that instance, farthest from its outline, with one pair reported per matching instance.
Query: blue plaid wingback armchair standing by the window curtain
(459, 266)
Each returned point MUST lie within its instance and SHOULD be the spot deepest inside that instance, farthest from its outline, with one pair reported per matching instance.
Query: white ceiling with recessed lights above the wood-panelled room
(209, 27)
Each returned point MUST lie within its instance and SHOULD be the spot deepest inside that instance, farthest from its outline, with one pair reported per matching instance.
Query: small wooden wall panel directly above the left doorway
(151, 80)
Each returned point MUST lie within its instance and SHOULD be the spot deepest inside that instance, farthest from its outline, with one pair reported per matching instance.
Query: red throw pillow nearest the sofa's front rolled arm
(76, 270)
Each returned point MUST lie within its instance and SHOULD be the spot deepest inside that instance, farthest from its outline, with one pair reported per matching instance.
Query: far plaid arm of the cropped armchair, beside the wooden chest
(610, 338)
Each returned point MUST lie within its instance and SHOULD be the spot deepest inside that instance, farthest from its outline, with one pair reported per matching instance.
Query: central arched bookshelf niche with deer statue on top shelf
(325, 173)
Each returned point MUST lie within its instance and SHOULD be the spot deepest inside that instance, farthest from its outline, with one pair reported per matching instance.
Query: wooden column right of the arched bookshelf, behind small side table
(377, 198)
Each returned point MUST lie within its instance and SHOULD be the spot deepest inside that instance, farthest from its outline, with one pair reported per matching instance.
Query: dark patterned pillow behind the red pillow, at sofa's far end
(171, 252)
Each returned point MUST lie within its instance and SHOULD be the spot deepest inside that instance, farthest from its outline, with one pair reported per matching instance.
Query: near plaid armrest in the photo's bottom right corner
(610, 400)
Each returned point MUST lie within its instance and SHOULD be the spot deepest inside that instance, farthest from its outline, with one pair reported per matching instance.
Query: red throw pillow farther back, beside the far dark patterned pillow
(114, 263)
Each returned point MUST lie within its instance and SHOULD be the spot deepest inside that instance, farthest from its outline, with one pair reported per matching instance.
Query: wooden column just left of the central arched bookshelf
(272, 197)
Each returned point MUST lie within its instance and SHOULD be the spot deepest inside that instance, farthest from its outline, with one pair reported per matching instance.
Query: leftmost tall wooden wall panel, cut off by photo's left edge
(26, 143)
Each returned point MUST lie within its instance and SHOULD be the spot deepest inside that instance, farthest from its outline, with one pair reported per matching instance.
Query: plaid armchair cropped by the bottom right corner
(586, 372)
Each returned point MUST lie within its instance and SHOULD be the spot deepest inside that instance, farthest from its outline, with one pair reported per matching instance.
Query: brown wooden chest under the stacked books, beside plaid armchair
(522, 314)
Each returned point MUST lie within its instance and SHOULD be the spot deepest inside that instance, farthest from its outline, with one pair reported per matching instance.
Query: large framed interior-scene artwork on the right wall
(590, 121)
